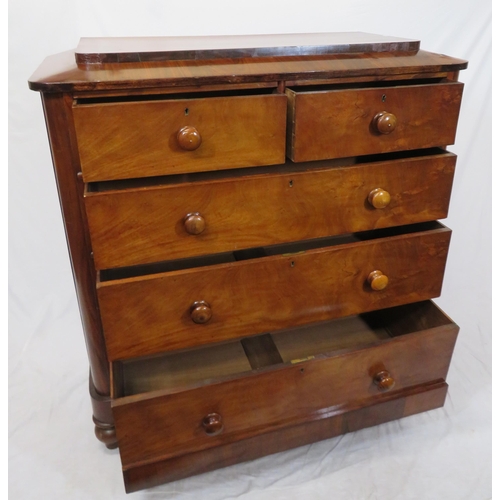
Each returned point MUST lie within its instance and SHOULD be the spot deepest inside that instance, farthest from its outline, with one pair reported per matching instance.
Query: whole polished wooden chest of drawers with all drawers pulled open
(252, 224)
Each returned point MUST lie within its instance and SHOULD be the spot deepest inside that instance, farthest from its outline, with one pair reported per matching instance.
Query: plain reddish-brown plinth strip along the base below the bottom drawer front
(383, 408)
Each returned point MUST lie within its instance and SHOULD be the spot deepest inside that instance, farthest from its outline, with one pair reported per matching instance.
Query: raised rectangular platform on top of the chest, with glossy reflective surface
(148, 49)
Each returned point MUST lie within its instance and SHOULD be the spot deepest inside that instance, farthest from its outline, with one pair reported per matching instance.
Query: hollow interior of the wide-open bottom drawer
(180, 370)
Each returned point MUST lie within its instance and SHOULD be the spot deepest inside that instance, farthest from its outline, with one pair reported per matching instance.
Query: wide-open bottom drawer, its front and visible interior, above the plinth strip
(275, 381)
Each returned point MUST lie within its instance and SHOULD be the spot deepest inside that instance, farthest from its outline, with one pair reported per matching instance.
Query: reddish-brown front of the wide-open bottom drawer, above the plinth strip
(156, 425)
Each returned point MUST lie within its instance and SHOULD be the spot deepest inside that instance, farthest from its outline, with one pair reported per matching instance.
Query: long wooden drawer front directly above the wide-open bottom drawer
(155, 313)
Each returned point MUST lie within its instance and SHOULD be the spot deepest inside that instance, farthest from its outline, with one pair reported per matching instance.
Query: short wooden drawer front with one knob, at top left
(143, 139)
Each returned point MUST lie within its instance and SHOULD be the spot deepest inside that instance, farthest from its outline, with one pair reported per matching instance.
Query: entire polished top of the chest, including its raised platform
(162, 62)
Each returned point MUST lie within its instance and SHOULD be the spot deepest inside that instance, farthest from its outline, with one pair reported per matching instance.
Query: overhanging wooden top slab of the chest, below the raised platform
(60, 73)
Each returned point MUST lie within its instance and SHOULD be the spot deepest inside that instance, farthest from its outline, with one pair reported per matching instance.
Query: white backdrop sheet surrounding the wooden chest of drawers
(444, 454)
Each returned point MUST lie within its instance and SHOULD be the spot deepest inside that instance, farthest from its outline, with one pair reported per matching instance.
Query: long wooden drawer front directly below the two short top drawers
(144, 225)
